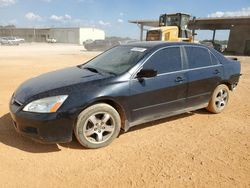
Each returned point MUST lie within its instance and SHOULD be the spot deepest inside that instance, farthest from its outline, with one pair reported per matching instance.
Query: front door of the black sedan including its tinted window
(156, 97)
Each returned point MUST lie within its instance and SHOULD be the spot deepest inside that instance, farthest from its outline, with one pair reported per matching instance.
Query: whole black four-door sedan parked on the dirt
(123, 87)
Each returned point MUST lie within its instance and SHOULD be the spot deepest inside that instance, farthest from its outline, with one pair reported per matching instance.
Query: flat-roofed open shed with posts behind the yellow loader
(239, 38)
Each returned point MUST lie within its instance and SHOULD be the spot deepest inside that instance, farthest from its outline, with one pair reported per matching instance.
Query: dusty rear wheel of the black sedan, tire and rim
(219, 99)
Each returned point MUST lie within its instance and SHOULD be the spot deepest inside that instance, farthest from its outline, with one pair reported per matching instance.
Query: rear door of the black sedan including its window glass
(204, 73)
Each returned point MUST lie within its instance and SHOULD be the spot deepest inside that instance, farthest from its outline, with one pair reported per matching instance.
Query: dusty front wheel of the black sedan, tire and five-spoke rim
(97, 126)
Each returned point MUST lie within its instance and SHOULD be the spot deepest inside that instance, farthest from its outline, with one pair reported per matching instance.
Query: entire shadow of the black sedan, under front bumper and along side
(10, 137)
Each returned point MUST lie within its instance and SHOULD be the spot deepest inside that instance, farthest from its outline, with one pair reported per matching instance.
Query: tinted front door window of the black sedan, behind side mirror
(166, 60)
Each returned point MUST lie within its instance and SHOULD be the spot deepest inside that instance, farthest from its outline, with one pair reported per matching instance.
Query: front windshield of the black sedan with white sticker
(116, 60)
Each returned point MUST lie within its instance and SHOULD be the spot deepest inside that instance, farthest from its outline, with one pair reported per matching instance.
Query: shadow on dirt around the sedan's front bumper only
(10, 137)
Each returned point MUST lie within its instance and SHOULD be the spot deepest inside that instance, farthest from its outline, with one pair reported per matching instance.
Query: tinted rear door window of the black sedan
(198, 57)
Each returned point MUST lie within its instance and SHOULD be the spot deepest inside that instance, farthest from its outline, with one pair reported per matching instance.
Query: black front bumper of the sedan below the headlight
(44, 128)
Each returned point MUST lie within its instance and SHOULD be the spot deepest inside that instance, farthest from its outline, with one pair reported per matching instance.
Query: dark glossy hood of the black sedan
(55, 80)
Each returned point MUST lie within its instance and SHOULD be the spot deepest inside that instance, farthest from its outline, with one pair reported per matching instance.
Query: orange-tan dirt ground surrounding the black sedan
(195, 149)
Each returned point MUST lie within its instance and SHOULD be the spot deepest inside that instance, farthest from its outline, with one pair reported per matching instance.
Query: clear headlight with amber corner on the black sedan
(46, 105)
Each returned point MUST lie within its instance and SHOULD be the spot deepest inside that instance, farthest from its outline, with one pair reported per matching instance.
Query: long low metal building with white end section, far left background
(62, 35)
